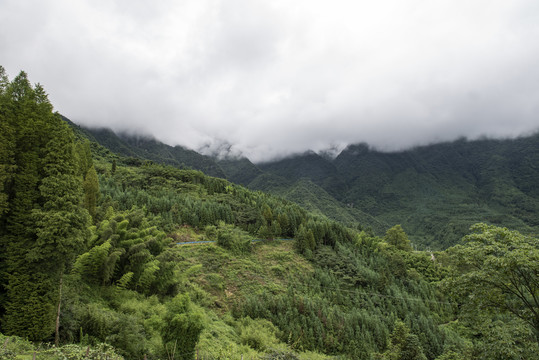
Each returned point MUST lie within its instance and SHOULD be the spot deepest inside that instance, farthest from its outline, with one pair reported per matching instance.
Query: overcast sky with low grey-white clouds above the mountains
(274, 77)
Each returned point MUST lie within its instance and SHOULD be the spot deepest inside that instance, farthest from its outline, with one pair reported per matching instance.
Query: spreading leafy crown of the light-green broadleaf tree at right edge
(497, 270)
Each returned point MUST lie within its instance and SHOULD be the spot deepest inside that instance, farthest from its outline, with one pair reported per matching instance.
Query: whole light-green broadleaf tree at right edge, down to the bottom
(496, 282)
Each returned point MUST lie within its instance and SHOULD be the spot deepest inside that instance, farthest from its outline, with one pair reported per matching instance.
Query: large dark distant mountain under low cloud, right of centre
(436, 192)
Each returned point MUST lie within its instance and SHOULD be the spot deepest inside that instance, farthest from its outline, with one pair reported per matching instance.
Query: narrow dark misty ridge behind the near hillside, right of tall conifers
(147, 148)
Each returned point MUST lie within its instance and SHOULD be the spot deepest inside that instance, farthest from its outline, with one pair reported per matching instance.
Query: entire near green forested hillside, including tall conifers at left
(94, 263)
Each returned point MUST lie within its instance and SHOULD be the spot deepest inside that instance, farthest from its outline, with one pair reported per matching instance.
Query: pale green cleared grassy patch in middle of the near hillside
(222, 277)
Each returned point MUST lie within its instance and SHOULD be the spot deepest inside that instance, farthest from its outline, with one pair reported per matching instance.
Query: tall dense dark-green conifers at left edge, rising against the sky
(46, 225)
